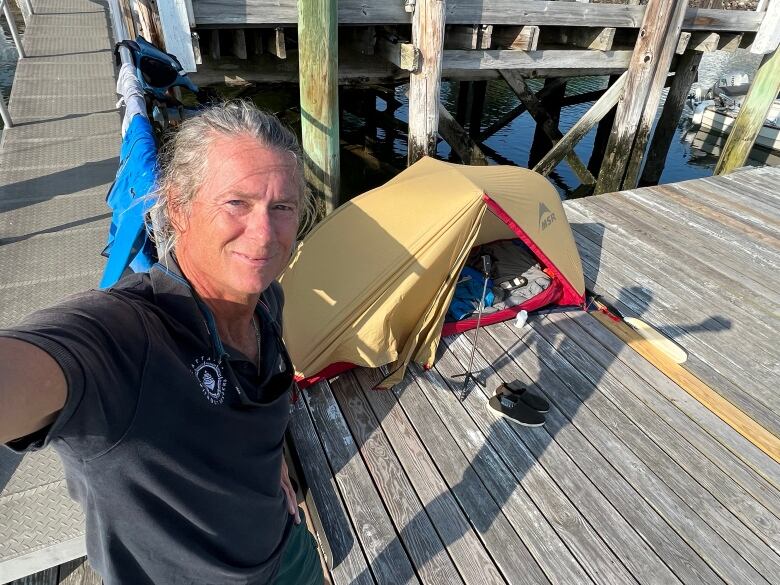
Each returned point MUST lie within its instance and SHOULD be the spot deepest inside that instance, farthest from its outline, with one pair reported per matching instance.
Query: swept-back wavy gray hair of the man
(183, 162)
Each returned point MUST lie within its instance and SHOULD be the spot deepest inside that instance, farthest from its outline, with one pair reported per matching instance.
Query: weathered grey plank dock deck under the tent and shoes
(632, 480)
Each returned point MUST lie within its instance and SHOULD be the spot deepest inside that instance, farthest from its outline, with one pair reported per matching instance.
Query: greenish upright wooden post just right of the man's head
(318, 78)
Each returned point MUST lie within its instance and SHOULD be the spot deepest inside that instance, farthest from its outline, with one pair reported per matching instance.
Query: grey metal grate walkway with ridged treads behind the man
(56, 165)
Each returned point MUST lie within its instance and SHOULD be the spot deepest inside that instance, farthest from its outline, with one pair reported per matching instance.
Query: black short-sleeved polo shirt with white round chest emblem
(179, 482)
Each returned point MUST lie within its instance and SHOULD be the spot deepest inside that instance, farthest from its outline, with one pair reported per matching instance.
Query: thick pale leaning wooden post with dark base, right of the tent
(655, 46)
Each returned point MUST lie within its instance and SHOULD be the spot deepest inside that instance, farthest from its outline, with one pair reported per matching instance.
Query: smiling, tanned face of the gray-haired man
(241, 226)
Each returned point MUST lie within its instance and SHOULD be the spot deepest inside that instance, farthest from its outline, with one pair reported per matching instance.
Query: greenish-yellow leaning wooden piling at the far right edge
(752, 114)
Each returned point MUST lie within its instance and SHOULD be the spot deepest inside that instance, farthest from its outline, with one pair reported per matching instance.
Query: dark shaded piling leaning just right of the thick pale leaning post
(687, 69)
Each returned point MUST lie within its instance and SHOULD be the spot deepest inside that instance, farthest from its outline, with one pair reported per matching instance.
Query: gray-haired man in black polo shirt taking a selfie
(168, 396)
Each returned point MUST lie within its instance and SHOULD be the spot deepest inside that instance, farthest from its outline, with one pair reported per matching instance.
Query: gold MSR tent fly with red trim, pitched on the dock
(371, 284)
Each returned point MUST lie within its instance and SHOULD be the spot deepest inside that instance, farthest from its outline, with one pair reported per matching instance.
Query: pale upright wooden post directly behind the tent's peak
(425, 84)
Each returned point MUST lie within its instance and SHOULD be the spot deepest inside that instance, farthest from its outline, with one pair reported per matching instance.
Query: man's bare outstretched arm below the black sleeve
(32, 389)
